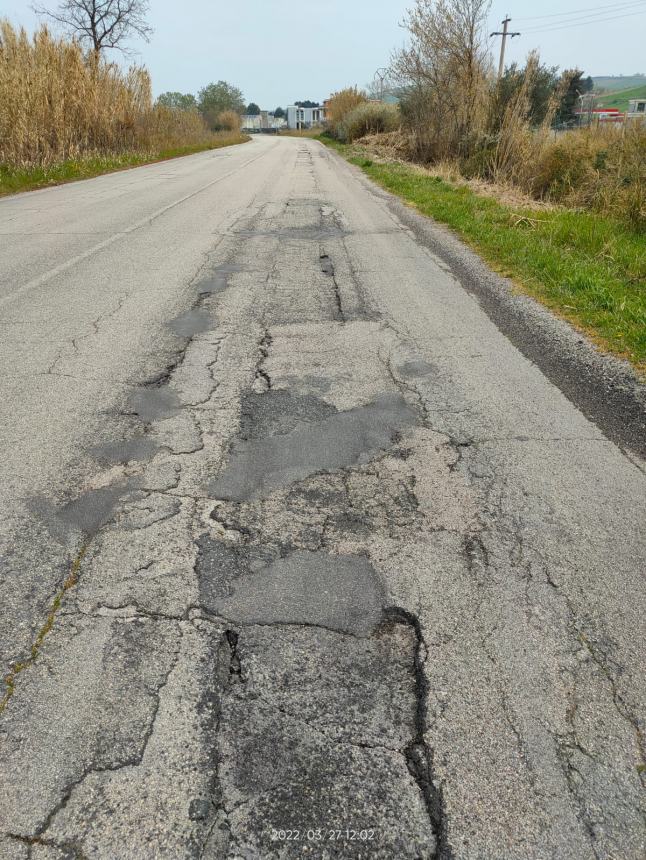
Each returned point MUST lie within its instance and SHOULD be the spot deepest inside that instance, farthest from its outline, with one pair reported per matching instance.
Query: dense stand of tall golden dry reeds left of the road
(59, 103)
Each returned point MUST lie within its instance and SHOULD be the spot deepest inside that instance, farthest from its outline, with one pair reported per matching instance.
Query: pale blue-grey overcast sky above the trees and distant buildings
(279, 51)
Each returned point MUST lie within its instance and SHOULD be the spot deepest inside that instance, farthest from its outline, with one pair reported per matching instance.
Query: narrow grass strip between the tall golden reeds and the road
(15, 179)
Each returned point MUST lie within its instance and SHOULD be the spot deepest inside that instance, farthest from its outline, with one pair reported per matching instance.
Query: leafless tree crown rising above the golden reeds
(101, 24)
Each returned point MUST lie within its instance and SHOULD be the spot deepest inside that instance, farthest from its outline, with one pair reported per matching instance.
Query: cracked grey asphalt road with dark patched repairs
(305, 551)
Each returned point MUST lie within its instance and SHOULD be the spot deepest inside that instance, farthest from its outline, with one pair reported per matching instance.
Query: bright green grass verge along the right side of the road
(589, 269)
